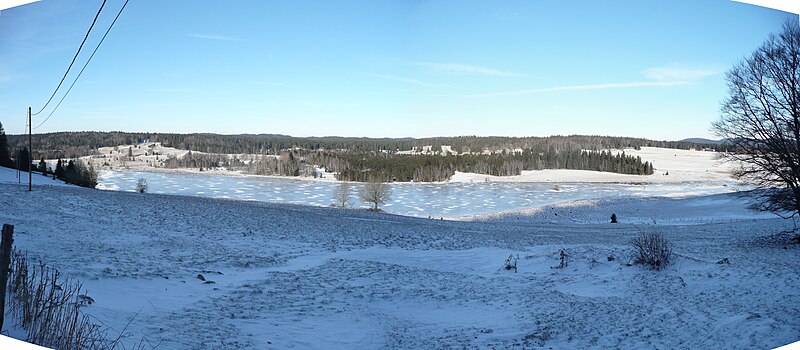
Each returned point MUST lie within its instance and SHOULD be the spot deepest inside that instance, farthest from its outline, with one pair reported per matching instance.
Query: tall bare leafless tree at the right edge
(761, 120)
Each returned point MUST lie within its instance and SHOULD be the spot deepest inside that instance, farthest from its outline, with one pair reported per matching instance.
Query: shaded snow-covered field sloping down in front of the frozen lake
(290, 276)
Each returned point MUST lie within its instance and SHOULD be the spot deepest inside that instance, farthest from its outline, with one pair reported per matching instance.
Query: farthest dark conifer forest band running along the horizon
(76, 144)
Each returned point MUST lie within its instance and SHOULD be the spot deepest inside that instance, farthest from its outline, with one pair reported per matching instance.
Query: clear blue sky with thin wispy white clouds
(420, 68)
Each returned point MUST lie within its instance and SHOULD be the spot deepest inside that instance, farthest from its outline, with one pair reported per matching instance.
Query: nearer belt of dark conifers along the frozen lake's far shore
(370, 166)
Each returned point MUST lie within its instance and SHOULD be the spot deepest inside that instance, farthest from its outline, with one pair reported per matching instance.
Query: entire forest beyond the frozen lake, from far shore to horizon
(365, 159)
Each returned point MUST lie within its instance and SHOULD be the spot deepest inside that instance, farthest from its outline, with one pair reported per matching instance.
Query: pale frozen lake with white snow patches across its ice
(447, 200)
